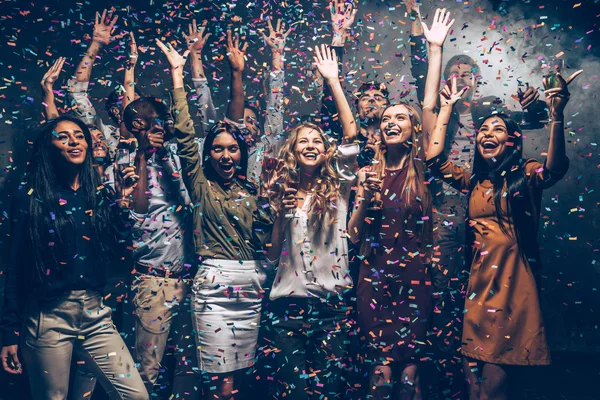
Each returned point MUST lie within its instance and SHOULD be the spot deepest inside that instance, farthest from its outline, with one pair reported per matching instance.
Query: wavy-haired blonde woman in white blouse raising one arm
(310, 250)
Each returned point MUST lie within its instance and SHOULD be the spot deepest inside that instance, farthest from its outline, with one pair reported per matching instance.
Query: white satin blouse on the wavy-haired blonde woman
(314, 257)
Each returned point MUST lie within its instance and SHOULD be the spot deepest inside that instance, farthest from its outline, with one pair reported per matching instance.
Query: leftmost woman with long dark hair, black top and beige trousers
(64, 248)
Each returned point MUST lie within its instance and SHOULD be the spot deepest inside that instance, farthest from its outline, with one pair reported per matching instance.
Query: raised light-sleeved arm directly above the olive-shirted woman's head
(196, 40)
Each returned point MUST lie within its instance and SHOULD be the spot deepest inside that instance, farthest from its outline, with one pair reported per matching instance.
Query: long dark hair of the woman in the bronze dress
(519, 201)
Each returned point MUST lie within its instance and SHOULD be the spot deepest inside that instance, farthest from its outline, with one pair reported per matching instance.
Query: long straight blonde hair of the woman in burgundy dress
(413, 187)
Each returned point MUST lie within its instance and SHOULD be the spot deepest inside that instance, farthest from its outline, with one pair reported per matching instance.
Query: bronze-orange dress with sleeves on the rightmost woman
(502, 318)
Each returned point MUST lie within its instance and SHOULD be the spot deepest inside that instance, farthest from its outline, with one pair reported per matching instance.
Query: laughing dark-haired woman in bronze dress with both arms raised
(504, 193)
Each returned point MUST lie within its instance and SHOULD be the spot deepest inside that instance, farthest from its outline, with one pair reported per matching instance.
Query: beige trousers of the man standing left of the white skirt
(162, 310)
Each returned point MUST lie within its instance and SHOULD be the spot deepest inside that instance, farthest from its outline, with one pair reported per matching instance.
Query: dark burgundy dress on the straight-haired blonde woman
(394, 286)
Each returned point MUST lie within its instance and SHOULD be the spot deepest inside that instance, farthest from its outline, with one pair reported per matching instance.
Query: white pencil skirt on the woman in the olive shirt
(226, 307)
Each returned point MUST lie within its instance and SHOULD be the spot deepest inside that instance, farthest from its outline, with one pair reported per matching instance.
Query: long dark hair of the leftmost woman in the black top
(48, 220)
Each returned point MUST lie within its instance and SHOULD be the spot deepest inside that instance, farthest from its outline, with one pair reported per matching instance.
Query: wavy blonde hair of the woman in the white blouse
(327, 187)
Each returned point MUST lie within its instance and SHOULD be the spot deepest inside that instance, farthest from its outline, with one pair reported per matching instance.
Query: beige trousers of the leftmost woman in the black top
(77, 325)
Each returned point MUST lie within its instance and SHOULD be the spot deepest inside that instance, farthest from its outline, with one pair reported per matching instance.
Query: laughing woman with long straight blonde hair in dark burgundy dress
(396, 246)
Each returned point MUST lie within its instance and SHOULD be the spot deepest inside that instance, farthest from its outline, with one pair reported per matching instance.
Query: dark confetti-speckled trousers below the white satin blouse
(309, 345)
